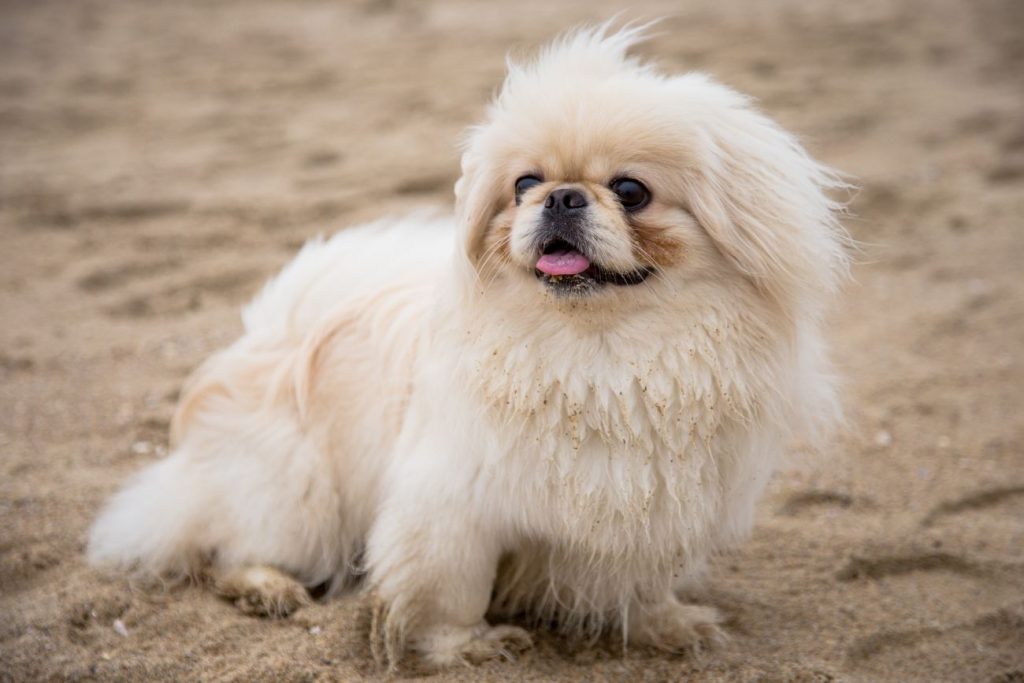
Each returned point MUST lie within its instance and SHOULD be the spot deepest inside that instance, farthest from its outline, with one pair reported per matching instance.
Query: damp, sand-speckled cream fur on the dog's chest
(623, 443)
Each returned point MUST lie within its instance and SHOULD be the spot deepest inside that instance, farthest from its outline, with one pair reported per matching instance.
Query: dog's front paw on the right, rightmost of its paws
(680, 629)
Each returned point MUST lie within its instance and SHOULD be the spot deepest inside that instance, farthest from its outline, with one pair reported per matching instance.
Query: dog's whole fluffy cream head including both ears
(596, 178)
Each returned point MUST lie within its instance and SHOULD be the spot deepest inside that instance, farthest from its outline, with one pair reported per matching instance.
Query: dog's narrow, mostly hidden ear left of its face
(477, 200)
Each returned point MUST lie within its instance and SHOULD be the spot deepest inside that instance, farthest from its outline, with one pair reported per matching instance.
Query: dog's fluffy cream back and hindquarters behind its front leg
(347, 313)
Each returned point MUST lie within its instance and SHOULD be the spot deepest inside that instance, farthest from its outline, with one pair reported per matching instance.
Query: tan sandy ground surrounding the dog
(158, 161)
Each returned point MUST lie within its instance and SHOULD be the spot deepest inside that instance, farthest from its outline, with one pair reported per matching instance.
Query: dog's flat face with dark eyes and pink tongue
(593, 214)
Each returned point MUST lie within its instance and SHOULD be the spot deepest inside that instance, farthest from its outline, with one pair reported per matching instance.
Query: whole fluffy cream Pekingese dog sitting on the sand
(558, 404)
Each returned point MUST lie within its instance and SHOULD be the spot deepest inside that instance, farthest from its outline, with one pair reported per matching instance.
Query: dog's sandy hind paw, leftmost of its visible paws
(262, 591)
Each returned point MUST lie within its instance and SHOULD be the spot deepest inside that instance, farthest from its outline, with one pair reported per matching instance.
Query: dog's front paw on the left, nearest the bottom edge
(446, 647)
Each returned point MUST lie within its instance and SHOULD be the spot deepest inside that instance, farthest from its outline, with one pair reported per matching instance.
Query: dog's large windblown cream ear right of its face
(765, 203)
